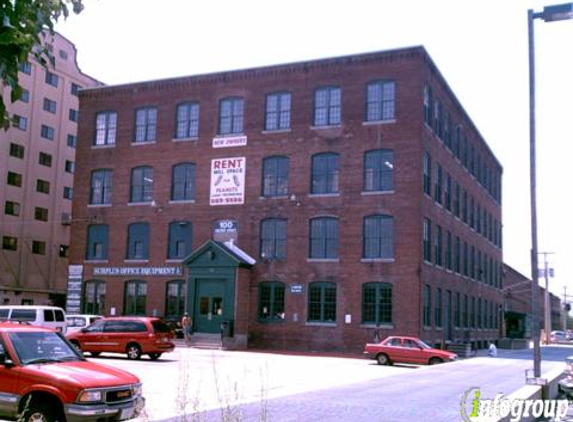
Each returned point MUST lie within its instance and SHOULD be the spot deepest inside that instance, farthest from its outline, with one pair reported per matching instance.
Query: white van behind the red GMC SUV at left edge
(44, 316)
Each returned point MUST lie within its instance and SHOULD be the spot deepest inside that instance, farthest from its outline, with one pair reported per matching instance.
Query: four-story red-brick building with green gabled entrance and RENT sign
(357, 192)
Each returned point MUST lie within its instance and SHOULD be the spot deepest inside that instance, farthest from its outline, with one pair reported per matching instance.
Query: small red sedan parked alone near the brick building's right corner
(402, 349)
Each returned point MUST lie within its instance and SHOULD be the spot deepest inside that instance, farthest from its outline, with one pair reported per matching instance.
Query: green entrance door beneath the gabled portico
(209, 305)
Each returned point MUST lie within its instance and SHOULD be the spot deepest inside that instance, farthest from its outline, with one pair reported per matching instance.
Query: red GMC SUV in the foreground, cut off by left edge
(44, 378)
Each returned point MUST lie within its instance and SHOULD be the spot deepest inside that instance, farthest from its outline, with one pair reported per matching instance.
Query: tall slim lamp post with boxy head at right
(549, 14)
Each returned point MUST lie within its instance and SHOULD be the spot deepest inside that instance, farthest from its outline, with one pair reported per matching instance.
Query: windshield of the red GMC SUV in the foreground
(42, 347)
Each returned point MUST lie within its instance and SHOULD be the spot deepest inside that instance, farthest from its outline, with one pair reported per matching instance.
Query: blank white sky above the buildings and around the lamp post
(480, 47)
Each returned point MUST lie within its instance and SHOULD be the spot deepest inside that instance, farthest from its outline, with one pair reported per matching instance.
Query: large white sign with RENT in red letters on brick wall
(227, 181)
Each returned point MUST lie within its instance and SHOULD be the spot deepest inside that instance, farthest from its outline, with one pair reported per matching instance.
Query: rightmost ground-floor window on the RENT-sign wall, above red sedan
(377, 303)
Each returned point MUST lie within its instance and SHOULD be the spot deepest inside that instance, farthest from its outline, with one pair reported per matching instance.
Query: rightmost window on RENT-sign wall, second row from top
(379, 170)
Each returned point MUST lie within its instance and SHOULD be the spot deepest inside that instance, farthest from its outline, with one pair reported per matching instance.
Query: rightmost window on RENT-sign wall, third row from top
(378, 237)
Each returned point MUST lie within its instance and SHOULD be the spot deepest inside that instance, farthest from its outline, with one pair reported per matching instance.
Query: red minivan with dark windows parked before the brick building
(134, 336)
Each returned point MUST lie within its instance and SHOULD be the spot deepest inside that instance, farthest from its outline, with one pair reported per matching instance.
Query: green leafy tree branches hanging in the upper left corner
(24, 24)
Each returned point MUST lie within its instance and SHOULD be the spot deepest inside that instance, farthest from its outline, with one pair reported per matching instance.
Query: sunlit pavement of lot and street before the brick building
(200, 385)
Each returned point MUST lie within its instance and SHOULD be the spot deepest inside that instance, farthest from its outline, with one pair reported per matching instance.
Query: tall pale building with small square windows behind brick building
(37, 166)
